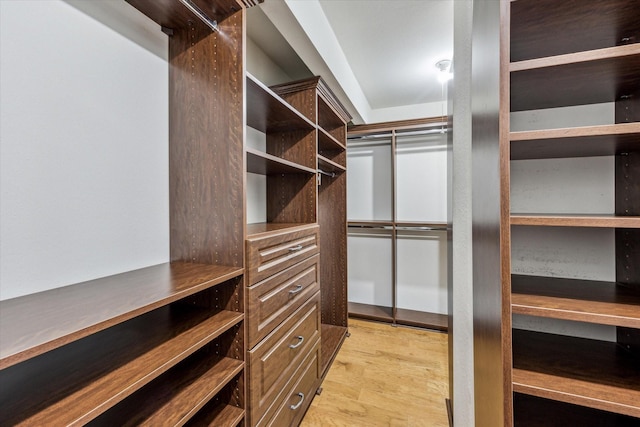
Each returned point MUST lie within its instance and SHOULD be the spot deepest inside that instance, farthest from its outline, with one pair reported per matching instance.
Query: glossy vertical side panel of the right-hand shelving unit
(490, 224)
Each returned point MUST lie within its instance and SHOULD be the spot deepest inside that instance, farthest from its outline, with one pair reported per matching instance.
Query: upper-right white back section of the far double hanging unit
(421, 178)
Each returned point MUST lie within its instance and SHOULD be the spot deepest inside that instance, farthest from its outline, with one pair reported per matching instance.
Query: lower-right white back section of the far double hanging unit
(422, 271)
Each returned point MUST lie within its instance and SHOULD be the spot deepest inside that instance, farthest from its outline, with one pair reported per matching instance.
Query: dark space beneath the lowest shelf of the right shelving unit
(533, 411)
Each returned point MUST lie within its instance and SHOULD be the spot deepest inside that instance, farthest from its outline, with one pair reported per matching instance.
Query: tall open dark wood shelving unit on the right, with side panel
(557, 54)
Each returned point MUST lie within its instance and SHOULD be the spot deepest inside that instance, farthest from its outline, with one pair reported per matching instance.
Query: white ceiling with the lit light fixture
(377, 55)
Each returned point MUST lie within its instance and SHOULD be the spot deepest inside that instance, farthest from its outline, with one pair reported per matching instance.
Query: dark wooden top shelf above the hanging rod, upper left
(177, 13)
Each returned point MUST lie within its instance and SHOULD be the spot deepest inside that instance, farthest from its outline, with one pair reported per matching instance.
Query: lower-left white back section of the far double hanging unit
(369, 266)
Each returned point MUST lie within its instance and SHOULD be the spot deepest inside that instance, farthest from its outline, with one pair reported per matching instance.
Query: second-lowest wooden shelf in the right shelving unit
(580, 300)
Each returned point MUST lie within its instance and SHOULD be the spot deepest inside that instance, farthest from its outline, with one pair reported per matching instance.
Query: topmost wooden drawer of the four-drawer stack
(272, 252)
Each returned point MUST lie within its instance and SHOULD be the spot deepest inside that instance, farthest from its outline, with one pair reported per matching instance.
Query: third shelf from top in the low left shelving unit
(182, 392)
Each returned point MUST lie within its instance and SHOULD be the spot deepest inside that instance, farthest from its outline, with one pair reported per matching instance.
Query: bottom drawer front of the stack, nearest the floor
(297, 397)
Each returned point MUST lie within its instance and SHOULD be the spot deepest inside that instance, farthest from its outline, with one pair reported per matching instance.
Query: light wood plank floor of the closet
(385, 376)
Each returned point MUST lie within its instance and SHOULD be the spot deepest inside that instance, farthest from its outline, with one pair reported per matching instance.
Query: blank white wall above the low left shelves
(84, 141)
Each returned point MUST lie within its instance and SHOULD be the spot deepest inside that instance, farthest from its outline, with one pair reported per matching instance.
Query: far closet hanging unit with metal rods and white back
(397, 222)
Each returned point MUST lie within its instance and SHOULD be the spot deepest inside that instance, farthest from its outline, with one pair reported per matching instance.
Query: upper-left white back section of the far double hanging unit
(370, 183)
